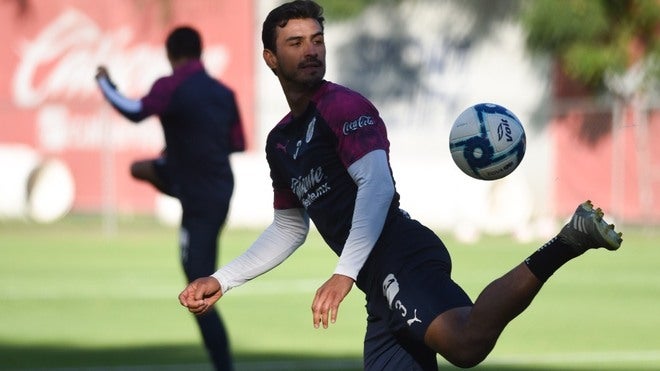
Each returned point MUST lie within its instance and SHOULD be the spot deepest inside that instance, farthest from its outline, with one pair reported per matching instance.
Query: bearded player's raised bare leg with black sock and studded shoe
(466, 335)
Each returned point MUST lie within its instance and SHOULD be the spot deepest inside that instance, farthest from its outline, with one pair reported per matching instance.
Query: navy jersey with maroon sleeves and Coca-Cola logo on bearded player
(309, 157)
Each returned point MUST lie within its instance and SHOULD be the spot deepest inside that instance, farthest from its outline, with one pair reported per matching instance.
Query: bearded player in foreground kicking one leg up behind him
(329, 161)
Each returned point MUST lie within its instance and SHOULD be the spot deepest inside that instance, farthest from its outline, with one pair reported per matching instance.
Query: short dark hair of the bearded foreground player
(280, 16)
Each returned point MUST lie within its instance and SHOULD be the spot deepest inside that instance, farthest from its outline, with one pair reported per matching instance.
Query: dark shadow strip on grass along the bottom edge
(182, 357)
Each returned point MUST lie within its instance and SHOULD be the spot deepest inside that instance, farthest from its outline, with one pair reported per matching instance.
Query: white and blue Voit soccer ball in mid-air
(487, 141)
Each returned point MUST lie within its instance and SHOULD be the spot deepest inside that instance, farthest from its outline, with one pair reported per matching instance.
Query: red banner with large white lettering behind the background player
(50, 104)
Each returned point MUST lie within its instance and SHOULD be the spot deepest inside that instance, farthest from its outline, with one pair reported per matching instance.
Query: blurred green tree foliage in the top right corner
(611, 44)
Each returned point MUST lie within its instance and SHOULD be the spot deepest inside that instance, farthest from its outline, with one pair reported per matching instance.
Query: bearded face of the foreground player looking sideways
(300, 56)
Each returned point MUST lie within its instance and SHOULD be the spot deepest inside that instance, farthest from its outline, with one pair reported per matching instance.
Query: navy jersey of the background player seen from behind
(202, 126)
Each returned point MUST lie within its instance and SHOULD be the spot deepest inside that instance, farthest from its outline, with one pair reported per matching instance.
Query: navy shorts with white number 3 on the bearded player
(408, 284)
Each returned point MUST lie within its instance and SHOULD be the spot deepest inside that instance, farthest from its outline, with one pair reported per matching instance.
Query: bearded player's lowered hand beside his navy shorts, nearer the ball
(326, 301)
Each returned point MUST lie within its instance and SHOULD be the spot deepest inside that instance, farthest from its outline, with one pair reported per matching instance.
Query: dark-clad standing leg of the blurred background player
(199, 236)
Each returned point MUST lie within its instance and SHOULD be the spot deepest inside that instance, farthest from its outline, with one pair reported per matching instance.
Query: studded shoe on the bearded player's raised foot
(588, 230)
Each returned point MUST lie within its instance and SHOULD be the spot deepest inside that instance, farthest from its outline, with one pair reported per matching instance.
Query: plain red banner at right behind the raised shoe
(616, 166)
